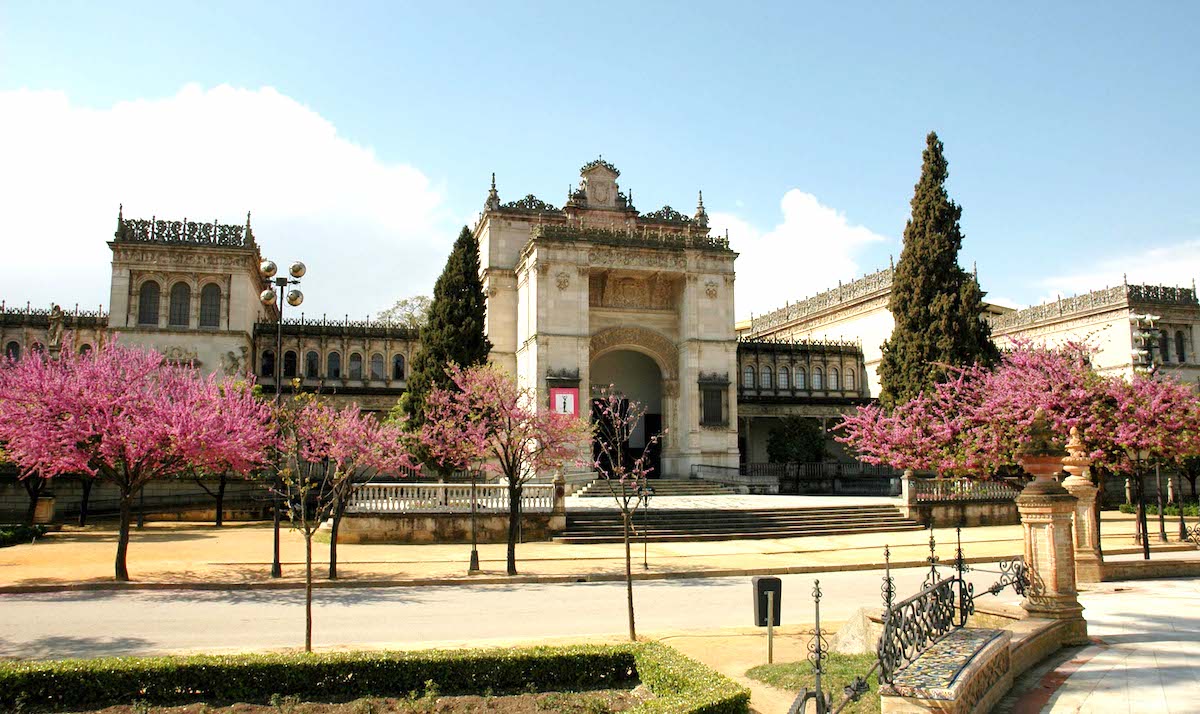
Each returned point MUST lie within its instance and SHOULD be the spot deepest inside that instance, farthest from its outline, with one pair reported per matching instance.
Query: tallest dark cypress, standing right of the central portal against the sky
(937, 304)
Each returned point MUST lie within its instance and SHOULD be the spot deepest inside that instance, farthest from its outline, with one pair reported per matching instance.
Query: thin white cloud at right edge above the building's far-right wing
(1178, 265)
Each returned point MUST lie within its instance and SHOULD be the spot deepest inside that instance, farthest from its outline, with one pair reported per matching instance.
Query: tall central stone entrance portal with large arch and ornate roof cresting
(574, 295)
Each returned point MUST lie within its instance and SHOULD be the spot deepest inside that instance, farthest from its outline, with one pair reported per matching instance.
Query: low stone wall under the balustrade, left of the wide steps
(419, 529)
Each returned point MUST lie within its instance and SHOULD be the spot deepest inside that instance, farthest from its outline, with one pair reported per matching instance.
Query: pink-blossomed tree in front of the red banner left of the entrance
(489, 419)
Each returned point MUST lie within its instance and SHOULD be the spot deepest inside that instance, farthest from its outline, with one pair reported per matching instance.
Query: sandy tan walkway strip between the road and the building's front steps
(238, 556)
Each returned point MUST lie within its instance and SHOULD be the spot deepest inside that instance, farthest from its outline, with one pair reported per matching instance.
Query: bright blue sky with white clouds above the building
(363, 135)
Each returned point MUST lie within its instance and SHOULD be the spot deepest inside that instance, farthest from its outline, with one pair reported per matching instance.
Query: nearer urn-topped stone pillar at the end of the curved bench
(1047, 511)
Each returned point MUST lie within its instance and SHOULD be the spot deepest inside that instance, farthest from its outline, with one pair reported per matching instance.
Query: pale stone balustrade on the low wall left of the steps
(448, 499)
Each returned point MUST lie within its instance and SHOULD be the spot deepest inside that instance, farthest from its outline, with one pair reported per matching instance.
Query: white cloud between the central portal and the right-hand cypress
(809, 251)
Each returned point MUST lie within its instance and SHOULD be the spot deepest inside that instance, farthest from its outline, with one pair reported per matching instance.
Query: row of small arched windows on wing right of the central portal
(782, 375)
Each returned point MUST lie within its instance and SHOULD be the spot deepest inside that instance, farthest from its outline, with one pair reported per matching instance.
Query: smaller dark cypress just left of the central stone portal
(454, 332)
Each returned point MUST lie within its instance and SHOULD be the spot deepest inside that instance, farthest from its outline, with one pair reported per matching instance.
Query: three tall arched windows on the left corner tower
(179, 302)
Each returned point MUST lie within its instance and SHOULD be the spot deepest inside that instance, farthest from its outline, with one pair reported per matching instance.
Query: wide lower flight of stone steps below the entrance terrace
(700, 525)
